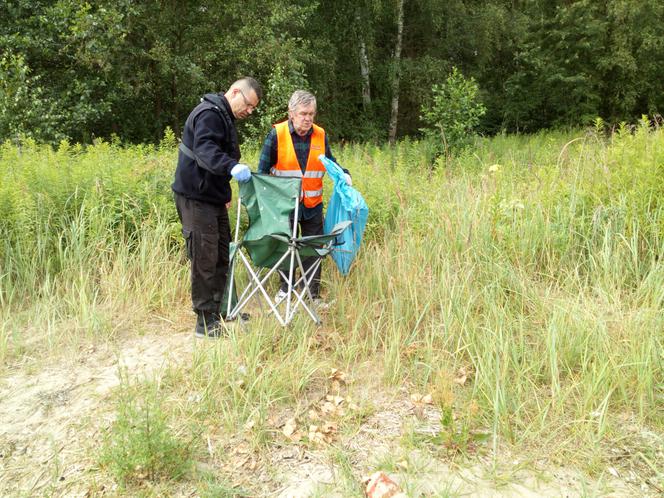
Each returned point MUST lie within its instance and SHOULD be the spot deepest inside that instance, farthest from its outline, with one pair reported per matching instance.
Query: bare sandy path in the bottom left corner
(50, 418)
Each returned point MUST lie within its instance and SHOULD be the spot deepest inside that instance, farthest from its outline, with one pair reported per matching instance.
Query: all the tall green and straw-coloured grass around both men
(534, 262)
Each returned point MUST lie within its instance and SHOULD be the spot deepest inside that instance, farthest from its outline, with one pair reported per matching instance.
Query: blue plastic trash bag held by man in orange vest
(346, 204)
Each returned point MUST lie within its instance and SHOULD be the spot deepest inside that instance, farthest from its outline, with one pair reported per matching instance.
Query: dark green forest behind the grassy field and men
(76, 70)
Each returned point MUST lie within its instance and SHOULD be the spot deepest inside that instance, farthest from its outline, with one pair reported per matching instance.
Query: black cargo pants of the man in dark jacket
(206, 230)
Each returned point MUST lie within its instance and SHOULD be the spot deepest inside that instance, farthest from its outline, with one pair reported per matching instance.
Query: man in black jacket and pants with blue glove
(209, 157)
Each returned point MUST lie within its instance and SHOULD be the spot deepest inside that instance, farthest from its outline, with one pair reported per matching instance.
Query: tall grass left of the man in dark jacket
(89, 243)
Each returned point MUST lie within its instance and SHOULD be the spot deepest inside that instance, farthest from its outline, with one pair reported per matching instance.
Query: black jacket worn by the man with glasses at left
(209, 134)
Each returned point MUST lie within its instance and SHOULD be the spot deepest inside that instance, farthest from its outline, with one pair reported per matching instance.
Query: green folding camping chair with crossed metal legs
(272, 246)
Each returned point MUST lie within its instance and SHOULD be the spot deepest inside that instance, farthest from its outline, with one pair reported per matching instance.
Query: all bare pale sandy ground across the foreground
(51, 419)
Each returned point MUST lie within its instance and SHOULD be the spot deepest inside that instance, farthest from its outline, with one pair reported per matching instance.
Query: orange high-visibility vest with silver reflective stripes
(288, 166)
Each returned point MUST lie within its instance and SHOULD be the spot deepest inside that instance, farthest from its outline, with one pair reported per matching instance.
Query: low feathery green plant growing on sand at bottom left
(140, 445)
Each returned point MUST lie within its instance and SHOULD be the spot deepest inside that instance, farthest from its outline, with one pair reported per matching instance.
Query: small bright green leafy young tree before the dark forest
(453, 114)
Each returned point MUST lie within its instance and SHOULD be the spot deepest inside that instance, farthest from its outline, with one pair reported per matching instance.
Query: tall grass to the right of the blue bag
(536, 262)
